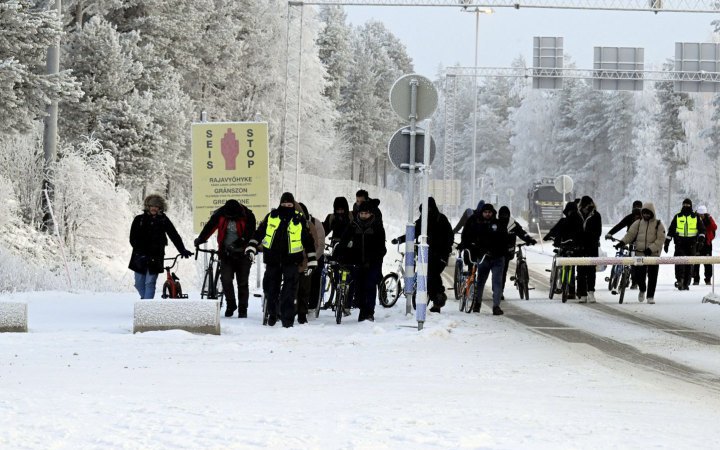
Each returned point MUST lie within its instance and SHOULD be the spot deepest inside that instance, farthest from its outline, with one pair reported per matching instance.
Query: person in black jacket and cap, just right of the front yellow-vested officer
(363, 245)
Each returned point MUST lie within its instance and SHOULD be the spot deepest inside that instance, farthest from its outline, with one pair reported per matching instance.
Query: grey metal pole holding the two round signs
(410, 227)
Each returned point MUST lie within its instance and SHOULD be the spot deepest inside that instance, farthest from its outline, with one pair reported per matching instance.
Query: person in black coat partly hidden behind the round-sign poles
(440, 241)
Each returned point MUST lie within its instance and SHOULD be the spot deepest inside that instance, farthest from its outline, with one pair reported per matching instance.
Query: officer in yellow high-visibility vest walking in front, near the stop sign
(283, 235)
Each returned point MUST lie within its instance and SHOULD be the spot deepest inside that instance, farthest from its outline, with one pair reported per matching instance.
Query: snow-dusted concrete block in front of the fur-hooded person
(195, 316)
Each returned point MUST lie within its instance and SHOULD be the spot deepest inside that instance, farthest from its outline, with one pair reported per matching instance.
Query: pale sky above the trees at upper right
(444, 35)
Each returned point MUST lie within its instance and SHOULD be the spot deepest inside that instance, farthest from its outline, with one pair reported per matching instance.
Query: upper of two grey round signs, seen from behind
(401, 97)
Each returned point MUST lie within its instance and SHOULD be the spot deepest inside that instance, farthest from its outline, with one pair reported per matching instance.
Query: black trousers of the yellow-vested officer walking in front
(280, 285)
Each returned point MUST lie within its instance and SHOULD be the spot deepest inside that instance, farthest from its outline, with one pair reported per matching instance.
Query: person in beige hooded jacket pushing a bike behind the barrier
(648, 234)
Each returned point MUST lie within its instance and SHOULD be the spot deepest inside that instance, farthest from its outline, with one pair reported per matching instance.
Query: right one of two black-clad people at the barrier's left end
(588, 242)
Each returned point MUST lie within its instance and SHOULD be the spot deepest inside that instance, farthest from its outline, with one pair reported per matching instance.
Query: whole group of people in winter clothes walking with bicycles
(293, 244)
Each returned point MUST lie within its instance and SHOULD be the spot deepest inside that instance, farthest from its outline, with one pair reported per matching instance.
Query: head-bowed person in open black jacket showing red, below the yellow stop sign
(235, 226)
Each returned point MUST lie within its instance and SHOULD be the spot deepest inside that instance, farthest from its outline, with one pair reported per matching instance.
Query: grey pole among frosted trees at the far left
(50, 126)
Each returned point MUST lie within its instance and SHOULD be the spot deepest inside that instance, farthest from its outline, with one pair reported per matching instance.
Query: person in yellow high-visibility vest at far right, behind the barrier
(685, 230)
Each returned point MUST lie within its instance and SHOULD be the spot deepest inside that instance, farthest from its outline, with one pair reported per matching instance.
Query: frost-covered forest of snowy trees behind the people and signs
(135, 74)
